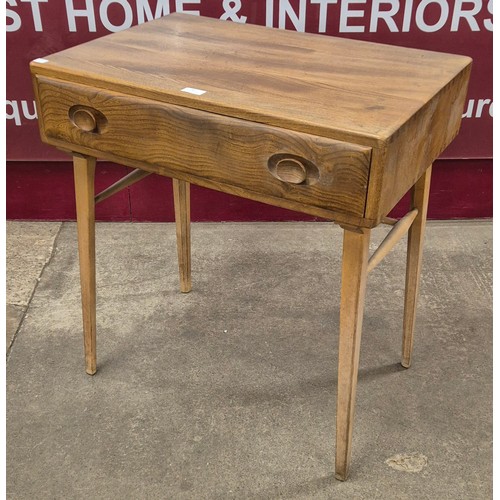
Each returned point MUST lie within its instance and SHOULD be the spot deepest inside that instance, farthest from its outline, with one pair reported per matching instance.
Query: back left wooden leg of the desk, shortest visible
(183, 230)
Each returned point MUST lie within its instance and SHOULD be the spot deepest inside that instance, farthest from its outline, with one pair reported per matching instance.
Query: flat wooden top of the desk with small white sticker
(339, 88)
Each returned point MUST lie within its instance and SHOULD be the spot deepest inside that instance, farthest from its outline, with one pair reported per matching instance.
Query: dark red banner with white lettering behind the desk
(37, 28)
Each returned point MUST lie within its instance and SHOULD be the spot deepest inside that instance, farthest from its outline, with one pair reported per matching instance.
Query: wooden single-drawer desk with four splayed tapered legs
(331, 127)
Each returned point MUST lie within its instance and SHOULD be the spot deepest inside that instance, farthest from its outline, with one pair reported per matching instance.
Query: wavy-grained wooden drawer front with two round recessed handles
(275, 162)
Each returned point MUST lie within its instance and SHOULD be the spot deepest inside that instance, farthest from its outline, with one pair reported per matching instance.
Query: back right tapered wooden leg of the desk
(419, 200)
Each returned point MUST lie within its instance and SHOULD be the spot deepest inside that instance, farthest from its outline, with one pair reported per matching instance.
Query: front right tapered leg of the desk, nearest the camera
(354, 273)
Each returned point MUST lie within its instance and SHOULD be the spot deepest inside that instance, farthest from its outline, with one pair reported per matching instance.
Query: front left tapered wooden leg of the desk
(84, 170)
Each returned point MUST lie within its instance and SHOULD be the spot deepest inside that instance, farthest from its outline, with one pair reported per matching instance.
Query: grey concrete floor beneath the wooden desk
(229, 391)
